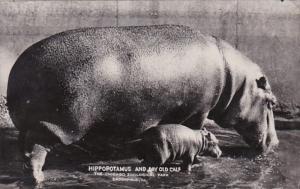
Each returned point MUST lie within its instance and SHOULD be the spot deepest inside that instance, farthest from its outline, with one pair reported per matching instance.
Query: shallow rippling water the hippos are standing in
(237, 168)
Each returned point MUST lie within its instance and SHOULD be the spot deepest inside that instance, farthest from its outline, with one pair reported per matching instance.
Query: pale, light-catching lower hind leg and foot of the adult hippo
(35, 161)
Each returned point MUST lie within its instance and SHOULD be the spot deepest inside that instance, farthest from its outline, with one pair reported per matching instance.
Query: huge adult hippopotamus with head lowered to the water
(123, 80)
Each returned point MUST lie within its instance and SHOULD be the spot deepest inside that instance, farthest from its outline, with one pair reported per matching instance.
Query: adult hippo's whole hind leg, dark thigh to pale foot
(36, 144)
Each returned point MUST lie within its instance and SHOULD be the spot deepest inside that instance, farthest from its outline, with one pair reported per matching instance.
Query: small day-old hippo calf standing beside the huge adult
(169, 142)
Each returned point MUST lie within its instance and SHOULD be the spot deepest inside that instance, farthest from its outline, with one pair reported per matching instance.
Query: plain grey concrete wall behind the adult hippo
(267, 31)
